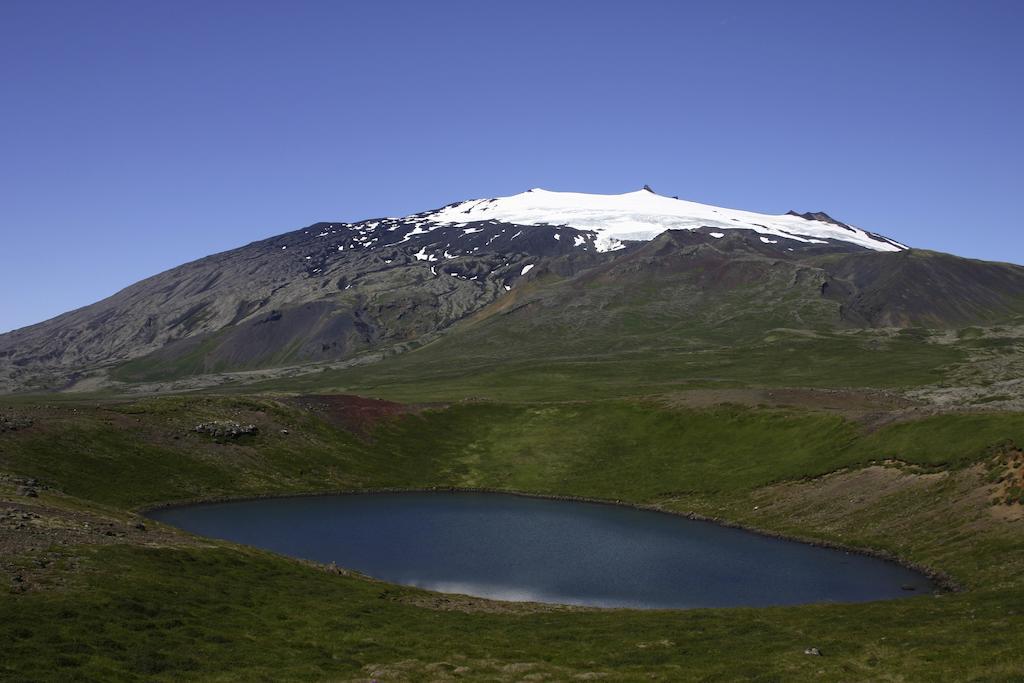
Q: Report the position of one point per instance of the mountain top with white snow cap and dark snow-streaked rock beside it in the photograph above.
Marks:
(540, 223)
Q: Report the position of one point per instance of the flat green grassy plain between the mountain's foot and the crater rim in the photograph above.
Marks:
(457, 367)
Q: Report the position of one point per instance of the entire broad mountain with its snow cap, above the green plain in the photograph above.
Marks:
(333, 291)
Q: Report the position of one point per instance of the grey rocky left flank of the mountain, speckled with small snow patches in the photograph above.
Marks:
(325, 292)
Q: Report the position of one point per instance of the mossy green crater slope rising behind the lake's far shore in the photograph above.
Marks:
(146, 453)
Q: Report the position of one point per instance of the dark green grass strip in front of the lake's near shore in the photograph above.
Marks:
(174, 615)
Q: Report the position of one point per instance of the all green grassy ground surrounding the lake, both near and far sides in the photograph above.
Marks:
(218, 612)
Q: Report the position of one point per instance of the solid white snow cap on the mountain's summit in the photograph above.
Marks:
(644, 216)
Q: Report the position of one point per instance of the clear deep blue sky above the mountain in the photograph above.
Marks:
(140, 136)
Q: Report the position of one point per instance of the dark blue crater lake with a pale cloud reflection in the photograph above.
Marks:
(515, 548)
